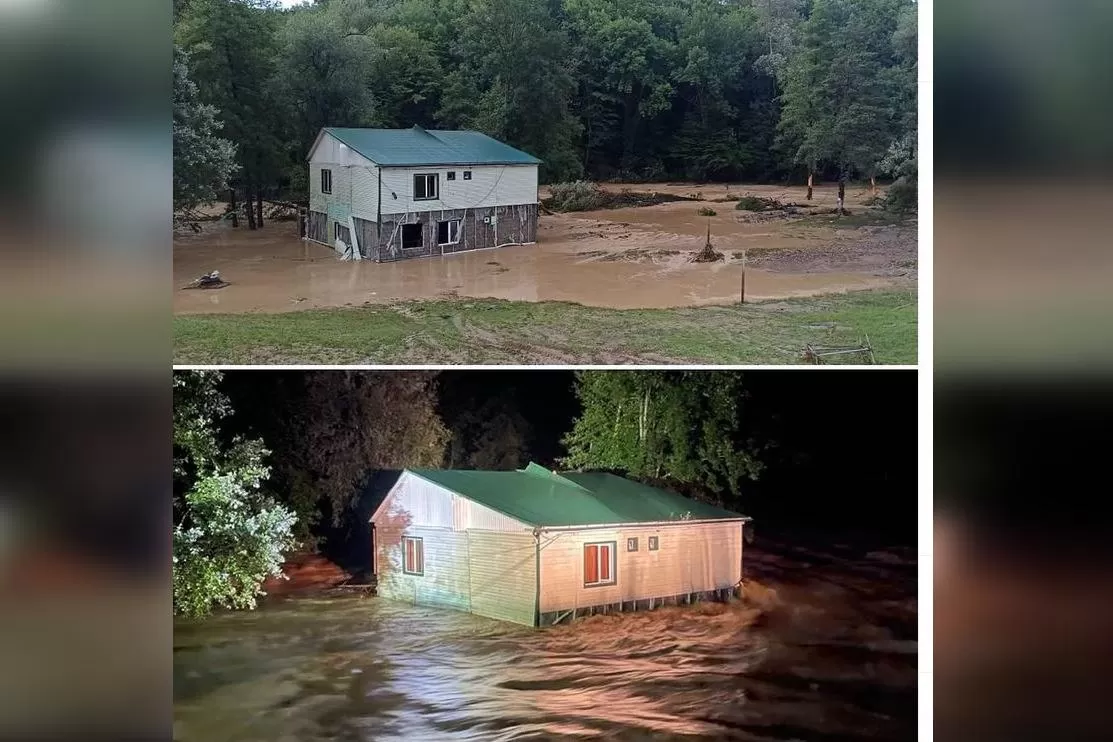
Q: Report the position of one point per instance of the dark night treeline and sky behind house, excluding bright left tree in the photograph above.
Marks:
(782, 448)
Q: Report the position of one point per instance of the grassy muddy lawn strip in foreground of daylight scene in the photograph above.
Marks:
(497, 332)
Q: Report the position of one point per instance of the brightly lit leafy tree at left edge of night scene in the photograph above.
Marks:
(229, 538)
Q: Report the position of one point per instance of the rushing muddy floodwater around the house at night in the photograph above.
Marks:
(823, 649)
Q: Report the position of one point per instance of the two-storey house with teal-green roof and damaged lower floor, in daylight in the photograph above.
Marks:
(393, 194)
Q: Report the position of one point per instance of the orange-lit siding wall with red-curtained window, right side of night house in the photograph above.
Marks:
(692, 559)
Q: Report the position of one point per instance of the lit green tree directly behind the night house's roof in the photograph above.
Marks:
(684, 427)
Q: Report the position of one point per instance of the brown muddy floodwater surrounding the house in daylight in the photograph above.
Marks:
(619, 259)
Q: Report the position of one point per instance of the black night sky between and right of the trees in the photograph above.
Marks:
(846, 456)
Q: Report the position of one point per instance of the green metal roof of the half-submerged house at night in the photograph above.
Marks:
(540, 498)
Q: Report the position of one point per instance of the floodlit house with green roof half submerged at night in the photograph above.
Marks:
(539, 548)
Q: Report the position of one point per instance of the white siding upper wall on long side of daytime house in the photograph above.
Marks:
(491, 185)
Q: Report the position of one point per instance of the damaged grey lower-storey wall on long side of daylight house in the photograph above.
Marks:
(479, 229)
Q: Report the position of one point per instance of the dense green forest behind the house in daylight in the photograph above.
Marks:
(756, 91)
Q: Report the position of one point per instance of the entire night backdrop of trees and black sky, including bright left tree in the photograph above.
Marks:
(267, 463)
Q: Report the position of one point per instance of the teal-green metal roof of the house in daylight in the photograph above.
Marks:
(420, 147)
